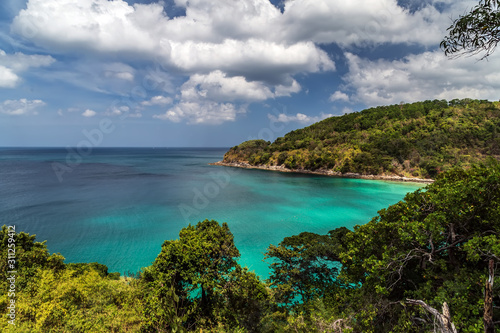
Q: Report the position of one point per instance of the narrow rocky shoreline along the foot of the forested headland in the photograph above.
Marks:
(324, 172)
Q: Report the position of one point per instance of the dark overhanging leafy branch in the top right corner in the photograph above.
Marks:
(475, 32)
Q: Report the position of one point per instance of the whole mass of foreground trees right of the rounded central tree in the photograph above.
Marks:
(434, 247)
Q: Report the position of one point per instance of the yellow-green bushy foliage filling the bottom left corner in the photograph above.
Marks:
(51, 296)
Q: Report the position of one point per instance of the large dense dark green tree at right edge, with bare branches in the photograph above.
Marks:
(434, 247)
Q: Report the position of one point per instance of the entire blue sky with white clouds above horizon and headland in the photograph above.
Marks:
(205, 73)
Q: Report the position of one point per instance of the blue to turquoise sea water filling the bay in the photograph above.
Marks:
(116, 206)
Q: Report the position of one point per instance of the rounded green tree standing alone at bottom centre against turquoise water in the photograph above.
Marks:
(196, 282)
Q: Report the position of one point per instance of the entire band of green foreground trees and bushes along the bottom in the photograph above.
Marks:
(433, 247)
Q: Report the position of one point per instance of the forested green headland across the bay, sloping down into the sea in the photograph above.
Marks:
(413, 140)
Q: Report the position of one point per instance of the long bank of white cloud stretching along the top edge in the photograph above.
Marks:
(229, 35)
